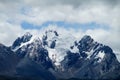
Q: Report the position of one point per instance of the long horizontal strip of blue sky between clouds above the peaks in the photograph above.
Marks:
(75, 25)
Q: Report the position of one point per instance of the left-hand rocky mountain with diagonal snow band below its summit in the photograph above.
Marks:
(35, 61)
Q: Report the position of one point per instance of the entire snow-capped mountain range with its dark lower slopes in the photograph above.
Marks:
(59, 56)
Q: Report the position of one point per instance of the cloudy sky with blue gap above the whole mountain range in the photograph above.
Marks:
(98, 18)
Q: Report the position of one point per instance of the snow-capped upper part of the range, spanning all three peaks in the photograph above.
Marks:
(59, 47)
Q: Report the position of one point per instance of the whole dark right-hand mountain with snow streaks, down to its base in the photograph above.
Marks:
(94, 60)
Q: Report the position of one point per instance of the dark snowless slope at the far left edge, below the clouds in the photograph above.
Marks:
(8, 60)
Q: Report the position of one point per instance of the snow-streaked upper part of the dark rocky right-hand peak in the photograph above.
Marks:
(88, 48)
